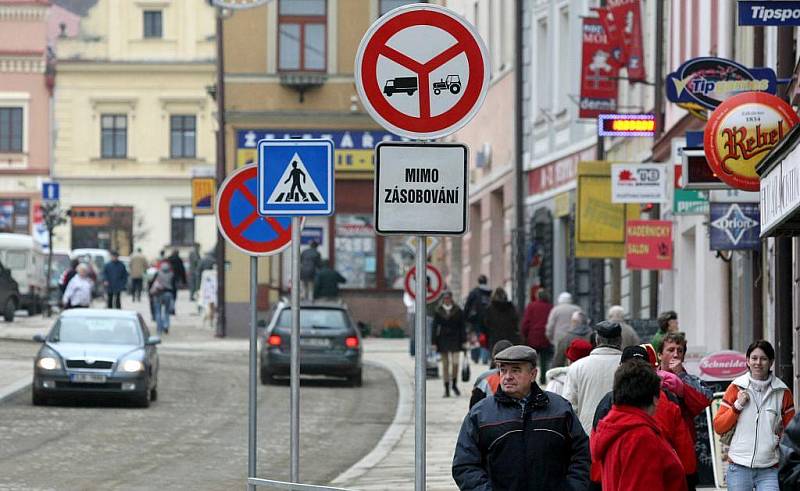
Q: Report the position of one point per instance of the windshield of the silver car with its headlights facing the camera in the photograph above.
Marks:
(101, 330)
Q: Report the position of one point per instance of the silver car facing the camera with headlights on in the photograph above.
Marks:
(100, 352)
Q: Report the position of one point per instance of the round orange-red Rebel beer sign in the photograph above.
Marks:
(741, 132)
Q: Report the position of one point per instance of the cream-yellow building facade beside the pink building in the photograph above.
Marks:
(133, 122)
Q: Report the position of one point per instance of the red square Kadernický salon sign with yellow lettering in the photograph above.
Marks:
(648, 244)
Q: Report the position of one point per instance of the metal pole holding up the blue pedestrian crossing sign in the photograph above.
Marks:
(294, 470)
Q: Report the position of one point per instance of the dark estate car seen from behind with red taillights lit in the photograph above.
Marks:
(330, 343)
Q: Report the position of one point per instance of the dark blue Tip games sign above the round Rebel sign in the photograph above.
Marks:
(702, 84)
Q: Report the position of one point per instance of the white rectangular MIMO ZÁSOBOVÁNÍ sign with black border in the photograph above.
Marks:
(421, 188)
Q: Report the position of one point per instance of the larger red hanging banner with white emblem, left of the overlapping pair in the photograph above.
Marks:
(598, 72)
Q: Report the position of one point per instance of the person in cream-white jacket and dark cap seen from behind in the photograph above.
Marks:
(591, 378)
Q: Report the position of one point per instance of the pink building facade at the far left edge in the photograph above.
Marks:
(25, 95)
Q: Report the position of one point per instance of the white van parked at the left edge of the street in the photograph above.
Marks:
(23, 255)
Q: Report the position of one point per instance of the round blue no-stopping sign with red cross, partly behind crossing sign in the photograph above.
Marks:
(238, 219)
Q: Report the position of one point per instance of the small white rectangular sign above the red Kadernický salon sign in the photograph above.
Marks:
(639, 183)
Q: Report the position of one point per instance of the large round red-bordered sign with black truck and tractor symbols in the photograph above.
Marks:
(422, 71)
